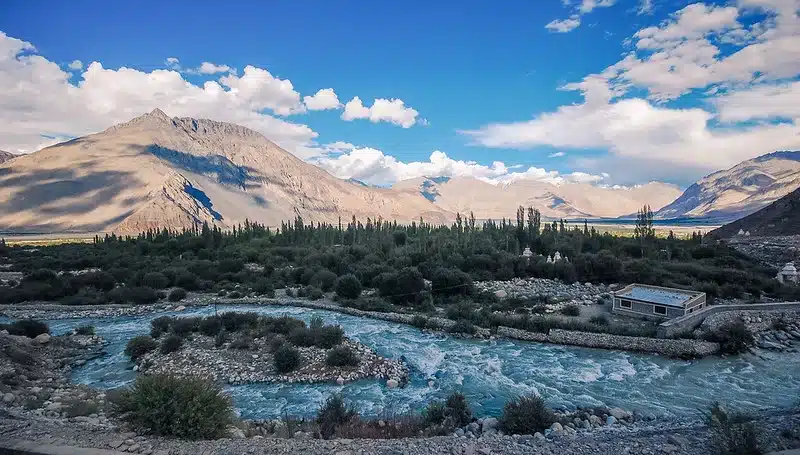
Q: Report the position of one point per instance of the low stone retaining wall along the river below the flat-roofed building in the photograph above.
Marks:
(670, 348)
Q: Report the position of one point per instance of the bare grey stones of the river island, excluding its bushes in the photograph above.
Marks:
(199, 357)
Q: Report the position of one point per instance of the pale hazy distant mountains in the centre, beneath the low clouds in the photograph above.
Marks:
(568, 200)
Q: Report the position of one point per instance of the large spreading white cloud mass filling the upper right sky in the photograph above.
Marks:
(745, 85)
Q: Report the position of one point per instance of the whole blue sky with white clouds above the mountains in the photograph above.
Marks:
(609, 92)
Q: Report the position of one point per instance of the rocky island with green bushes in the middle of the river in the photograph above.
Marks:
(242, 348)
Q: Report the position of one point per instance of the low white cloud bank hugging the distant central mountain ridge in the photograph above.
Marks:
(373, 166)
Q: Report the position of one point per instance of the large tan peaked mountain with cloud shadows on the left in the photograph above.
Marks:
(155, 171)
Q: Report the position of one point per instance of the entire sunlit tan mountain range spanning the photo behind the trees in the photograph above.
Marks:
(156, 171)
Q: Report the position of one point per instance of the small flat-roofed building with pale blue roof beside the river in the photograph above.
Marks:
(655, 302)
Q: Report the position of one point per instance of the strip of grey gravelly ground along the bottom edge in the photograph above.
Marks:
(687, 438)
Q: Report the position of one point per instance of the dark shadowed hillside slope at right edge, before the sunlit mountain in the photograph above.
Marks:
(782, 217)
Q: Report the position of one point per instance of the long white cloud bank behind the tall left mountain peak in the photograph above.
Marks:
(45, 102)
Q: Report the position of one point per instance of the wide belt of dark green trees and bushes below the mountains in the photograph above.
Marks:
(394, 258)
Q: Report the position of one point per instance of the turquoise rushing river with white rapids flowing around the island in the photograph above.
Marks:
(487, 372)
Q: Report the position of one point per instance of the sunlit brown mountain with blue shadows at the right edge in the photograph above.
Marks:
(733, 193)
